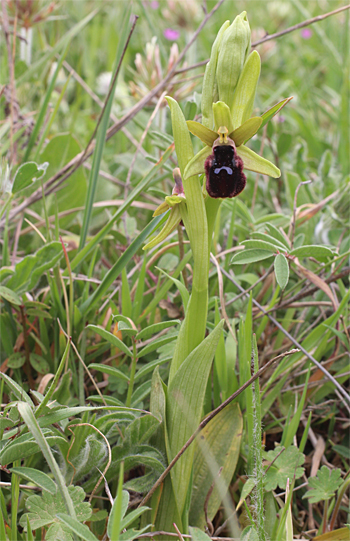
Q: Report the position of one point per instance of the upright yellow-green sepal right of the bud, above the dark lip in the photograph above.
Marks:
(243, 99)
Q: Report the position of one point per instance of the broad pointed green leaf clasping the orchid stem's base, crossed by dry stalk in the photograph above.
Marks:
(184, 409)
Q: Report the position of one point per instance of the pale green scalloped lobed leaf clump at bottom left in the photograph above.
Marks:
(43, 510)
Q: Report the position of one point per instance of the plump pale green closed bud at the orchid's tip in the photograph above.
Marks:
(234, 49)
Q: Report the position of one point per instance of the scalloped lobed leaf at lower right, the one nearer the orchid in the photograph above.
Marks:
(286, 466)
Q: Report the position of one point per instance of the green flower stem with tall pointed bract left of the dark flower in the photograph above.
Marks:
(195, 219)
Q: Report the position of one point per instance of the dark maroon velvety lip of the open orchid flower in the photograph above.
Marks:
(224, 170)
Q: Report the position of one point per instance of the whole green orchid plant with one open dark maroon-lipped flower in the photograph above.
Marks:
(202, 182)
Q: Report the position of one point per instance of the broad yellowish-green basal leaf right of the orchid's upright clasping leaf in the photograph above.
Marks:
(217, 446)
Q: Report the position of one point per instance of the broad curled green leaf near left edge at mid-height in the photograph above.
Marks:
(29, 271)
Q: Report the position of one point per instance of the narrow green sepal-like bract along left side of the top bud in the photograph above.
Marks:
(209, 80)
